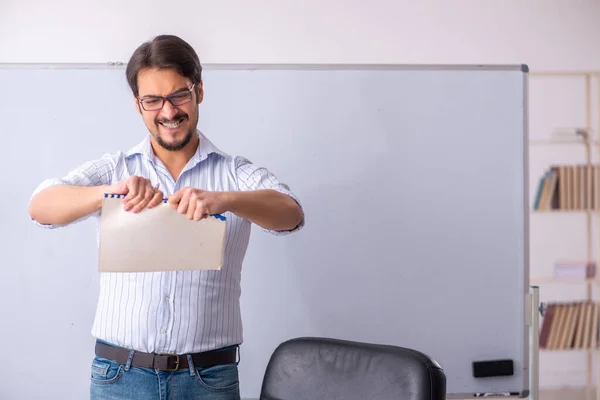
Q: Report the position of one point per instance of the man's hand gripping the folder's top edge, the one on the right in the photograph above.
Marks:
(198, 204)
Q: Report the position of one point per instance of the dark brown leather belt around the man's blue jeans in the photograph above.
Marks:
(167, 362)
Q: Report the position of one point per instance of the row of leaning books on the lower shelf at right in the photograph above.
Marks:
(569, 326)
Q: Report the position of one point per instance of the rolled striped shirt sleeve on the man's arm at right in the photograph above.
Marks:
(252, 177)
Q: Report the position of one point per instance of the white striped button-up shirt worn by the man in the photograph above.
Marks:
(175, 311)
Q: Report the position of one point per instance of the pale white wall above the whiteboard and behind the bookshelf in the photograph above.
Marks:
(546, 35)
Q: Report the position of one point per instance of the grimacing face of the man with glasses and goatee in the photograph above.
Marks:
(171, 126)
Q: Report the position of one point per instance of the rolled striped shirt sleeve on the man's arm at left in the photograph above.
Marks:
(91, 173)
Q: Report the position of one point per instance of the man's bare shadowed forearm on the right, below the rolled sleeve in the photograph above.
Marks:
(267, 208)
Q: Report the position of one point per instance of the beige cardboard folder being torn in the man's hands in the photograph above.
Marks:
(157, 239)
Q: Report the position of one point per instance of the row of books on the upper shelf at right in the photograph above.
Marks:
(569, 187)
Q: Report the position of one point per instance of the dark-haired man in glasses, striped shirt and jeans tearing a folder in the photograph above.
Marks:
(170, 334)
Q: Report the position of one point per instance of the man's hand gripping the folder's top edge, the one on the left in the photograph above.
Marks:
(139, 193)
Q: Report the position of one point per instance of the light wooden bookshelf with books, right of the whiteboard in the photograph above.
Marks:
(573, 188)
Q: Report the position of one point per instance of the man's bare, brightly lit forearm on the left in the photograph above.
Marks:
(63, 204)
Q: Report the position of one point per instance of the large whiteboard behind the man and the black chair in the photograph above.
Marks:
(413, 180)
